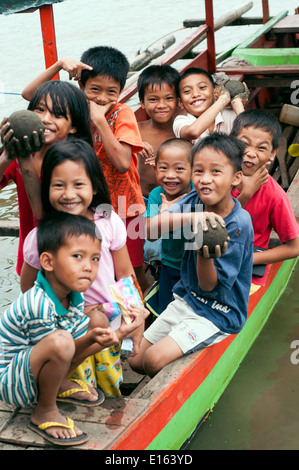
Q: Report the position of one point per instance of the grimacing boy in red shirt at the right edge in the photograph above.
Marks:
(267, 203)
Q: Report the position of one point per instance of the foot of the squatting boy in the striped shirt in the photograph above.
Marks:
(41, 415)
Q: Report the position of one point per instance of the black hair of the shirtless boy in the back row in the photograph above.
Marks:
(157, 75)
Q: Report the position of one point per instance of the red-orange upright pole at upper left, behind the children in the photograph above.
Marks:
(48, 34)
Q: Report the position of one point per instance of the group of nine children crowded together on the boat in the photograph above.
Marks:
(101, 184)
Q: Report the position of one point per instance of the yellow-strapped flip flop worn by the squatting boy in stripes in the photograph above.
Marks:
(73, 441)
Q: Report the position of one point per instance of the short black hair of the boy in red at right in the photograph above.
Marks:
(259, 119)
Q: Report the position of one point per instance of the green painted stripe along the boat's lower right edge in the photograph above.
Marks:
(185, 421)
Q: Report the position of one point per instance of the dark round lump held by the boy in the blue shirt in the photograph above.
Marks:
(211, 238)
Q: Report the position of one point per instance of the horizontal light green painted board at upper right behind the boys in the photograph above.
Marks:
(279, 56)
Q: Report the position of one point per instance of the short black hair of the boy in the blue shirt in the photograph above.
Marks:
(232, 147)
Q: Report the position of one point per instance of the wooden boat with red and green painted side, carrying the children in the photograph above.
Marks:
(163, 412)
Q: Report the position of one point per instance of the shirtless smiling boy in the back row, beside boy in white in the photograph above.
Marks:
(158, 93)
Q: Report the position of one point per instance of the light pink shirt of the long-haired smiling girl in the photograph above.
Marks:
(114, 237)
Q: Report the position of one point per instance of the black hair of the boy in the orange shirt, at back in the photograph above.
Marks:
(106, 61)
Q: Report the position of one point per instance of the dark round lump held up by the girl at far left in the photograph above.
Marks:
(24, 123)
